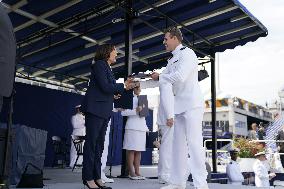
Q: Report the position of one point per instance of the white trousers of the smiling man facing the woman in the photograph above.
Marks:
(188, 140)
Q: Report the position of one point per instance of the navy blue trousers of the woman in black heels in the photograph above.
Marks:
(94, 145)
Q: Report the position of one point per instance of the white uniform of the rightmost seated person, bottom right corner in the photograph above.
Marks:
(261, 174)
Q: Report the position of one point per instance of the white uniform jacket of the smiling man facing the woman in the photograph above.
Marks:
(182, 73)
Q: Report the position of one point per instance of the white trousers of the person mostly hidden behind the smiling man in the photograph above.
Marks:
(165, 151)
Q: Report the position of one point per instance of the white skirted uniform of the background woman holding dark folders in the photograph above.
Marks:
(135, 129)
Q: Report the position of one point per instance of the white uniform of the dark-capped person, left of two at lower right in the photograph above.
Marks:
(234, 173)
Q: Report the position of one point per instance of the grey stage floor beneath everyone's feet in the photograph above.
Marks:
(66, 179)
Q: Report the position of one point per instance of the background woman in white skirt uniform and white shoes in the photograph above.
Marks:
(135, 137)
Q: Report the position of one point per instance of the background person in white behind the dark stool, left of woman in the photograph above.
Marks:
(78, 123)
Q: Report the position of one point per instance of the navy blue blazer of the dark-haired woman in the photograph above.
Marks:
(99, 96)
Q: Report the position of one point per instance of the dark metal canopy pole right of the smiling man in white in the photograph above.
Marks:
(213, 107)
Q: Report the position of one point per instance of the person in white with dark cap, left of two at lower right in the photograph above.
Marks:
(233, 169)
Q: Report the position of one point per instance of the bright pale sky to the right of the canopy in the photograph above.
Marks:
(255, 71)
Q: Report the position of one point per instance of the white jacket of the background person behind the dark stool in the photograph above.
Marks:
(78, 123)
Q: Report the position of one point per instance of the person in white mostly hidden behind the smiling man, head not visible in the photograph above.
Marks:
(165, 123)
